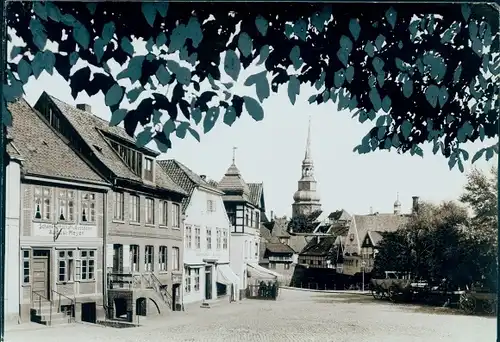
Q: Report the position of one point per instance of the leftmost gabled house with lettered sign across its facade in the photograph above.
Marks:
(55, 225)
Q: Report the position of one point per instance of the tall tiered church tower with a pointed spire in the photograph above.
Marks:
(306, 199)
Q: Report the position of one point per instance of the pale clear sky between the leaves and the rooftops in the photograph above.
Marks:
(271, 151)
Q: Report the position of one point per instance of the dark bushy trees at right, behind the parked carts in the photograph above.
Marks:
(435, 244)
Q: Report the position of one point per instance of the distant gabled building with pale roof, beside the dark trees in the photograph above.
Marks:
(373, 226)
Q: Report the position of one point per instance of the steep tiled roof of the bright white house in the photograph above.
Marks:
(185, 178)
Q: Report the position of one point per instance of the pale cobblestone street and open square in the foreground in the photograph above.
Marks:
(297, 316)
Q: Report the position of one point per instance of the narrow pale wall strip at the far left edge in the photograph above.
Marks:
(12, 252)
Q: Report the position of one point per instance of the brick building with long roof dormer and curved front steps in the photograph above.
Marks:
(144, 235)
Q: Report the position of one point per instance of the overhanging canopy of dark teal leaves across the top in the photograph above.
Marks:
(421, 72)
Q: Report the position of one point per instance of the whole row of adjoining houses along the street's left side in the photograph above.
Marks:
(96, 226)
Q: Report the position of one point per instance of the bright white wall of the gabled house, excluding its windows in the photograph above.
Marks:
(198, 216)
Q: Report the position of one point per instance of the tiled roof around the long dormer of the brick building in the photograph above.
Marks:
(91, 129)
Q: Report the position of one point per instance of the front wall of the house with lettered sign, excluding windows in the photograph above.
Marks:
(33, 236)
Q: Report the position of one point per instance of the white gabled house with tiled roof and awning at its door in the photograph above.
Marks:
(207, 273)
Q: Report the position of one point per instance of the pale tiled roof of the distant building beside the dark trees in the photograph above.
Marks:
(361, 224)
